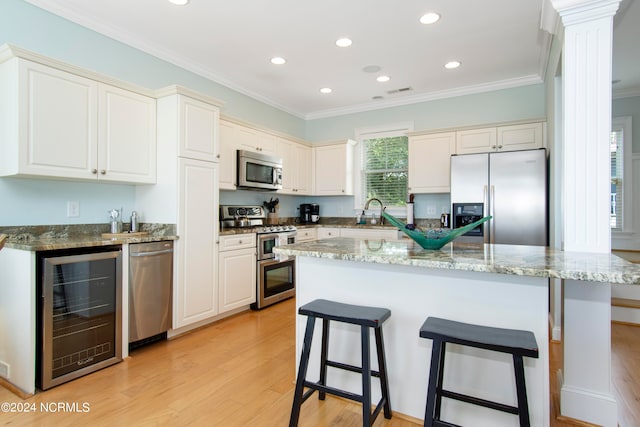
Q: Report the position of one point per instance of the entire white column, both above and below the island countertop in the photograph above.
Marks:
(586, 392)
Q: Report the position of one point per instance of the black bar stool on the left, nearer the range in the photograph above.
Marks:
(366, 317)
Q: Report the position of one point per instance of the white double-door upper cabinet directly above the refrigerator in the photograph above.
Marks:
(503, 138)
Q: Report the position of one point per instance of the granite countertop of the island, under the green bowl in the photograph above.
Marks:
(535, 261)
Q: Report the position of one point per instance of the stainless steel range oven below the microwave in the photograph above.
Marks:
(276, 278)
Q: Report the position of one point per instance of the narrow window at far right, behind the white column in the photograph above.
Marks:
(620, 185)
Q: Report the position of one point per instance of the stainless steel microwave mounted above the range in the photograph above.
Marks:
(259, 171)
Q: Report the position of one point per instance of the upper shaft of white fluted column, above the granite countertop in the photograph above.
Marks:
(586, 72)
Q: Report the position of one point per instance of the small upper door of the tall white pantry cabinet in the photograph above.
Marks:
(199, 130)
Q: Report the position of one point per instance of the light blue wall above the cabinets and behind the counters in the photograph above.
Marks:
(30, 202)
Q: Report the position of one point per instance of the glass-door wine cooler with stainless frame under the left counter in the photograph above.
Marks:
(80, 313)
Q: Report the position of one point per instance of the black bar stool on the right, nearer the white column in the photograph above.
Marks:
(516, 342)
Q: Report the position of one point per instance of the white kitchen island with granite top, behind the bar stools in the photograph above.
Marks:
(498, 285)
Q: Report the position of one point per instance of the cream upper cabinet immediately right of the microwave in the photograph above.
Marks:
(296, 167)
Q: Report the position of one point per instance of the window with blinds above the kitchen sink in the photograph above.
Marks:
(384, 163)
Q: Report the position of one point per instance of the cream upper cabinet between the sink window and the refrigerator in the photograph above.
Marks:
(429, 162)
